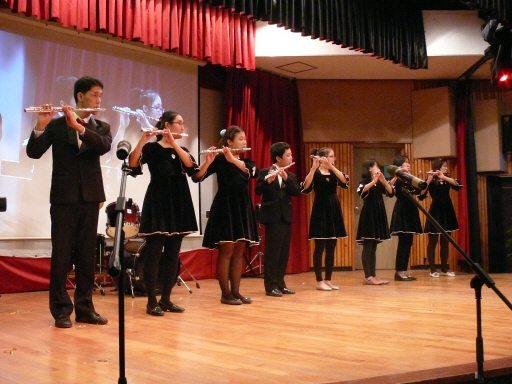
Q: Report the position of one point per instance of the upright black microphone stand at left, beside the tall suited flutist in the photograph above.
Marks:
(117, 266)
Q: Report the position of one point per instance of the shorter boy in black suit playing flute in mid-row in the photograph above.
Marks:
(277, 186)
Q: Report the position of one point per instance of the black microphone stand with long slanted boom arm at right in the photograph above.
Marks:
(477, 282)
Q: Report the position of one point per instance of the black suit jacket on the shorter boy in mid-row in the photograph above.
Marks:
(277, 200)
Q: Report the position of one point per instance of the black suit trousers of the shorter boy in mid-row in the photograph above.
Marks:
(277, 253)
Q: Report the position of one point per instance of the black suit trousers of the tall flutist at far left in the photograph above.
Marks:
(74, 231)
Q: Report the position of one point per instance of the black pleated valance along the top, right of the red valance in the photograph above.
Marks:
(389, 29)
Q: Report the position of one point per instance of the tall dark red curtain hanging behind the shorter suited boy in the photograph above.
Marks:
(267, 108)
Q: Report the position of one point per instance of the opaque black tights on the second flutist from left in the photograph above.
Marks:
(170, 265)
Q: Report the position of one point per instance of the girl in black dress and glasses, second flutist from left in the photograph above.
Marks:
(167, 213)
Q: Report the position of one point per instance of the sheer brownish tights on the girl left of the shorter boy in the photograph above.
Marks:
(229, 268)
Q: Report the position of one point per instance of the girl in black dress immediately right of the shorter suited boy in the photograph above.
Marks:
(326, 223)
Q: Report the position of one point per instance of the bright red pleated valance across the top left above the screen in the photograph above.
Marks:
(188, 28)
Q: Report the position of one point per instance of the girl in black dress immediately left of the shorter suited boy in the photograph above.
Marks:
(232, 224)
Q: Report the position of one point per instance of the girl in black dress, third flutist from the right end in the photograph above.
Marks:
(373, 222)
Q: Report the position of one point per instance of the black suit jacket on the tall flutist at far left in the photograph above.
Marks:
(76, 174)
